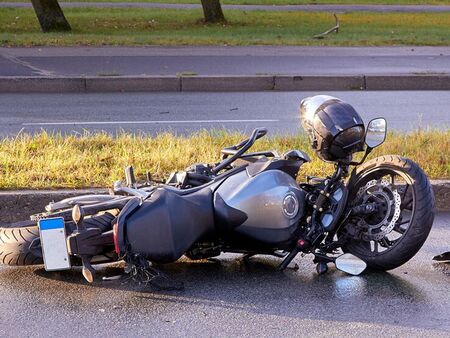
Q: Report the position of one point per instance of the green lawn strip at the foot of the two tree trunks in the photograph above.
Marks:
(19, 27)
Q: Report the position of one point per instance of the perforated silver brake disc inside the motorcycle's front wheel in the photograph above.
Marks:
(377, 226)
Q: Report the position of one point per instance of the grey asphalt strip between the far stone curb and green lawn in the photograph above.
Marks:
(257, 60)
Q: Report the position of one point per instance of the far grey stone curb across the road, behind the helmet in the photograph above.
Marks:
(222, 83)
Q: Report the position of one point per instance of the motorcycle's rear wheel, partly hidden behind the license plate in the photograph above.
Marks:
(16, 238)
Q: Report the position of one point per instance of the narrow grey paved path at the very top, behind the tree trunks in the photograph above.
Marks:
(309, 8)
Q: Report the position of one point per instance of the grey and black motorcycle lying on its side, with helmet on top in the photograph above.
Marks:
(374, 214)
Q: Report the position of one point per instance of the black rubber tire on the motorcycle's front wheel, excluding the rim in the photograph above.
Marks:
(421, 212)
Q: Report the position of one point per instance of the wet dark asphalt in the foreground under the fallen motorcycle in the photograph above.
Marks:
(231, 298)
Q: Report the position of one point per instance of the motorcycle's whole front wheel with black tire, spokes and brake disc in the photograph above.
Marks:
(404, 213)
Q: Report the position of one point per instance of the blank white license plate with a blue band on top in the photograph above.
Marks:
(54, 244)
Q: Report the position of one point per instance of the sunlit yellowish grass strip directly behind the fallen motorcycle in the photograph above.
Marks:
(96, 160)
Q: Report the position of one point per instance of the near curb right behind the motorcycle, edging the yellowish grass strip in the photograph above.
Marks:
(18, 205)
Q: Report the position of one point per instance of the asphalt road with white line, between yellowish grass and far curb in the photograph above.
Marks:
(188, 112)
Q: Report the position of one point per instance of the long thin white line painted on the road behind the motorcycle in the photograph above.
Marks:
(75, 123)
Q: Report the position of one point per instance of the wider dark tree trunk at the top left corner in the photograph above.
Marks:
(50, 15)
